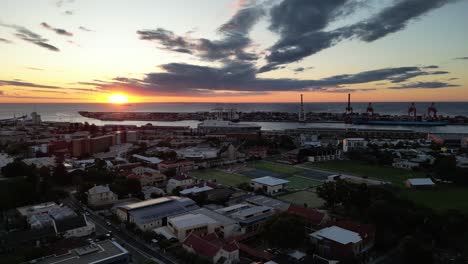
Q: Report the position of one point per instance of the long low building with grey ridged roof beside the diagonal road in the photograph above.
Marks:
(153, 213)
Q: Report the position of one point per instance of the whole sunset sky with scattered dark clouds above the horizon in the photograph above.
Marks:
(233, 50)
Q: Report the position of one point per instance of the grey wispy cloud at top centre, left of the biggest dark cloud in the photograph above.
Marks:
(232, 45)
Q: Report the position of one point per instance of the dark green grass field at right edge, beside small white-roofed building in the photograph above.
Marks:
(440, 198)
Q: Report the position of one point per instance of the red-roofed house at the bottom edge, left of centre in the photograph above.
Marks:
(213, 248)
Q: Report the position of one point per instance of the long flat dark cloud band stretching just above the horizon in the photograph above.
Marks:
(195, 80)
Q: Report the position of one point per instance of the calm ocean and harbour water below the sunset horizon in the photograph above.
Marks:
(69, 112)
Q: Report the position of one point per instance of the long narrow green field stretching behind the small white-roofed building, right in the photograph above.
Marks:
(393, 175)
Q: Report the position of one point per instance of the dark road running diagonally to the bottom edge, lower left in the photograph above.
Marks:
(139, 250)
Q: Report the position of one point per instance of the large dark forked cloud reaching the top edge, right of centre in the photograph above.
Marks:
(302, 23)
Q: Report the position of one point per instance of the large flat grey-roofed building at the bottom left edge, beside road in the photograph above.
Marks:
(103, 252)
